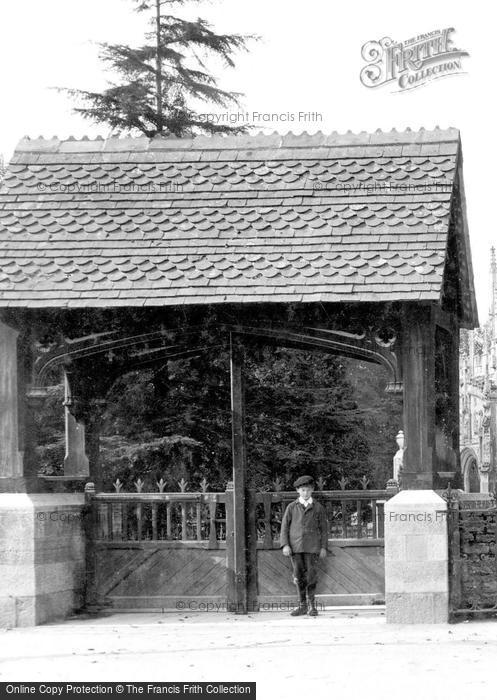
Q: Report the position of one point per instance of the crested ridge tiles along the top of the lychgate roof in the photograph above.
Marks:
(236, 142)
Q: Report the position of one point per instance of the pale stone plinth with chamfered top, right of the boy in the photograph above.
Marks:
(416, 558)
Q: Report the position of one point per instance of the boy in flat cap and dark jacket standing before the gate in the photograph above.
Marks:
(304, 538)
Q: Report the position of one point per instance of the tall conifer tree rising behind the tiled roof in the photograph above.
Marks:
(163, 80)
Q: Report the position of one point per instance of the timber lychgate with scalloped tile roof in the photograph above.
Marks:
(352, 244)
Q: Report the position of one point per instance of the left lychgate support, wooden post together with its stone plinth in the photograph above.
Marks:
(42, 566)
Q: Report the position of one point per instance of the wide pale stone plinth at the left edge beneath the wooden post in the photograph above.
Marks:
(42, 557)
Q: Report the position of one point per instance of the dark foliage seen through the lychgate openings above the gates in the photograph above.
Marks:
(305, 412)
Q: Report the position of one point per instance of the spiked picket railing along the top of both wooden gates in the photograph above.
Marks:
(200, 518)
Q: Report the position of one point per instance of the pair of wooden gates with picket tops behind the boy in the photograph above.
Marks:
(163, 551)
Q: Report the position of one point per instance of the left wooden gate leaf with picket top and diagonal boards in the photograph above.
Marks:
(151, 551)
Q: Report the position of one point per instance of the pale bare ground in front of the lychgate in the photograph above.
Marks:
(354, 654)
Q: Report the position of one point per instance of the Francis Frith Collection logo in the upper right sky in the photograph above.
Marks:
(412, 63)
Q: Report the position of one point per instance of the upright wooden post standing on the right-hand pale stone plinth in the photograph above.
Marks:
(418, 365)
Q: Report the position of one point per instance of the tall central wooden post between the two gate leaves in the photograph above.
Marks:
(239, 475)
